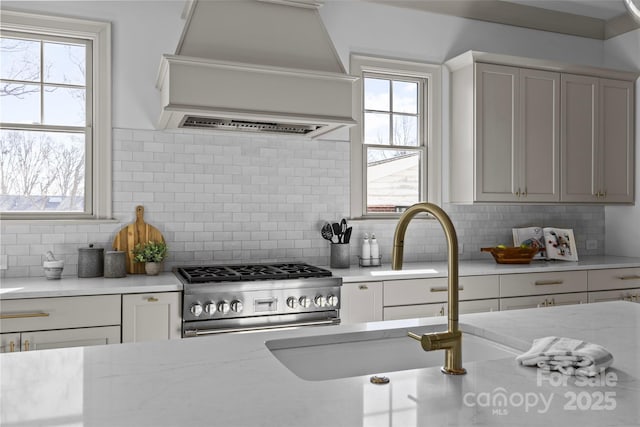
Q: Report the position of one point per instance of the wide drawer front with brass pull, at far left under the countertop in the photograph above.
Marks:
(39, 314)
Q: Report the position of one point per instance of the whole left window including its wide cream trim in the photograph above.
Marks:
(55, 138)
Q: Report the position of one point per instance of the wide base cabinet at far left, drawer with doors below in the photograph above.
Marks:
(42, 323)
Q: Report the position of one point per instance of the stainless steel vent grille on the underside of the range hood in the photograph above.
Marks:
(245, 125)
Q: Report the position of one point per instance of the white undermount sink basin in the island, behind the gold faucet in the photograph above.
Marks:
(345, 355)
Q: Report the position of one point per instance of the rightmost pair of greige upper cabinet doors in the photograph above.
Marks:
(597, 122)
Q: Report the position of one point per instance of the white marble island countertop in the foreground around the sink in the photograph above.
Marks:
(234, 380)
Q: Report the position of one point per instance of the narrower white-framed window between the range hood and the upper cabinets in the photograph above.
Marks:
(395, 148)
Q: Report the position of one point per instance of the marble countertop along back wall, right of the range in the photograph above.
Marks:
(418, 270)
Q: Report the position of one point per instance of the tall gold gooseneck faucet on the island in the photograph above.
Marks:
(451, 340)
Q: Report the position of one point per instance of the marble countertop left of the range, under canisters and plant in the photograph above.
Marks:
(39, 287)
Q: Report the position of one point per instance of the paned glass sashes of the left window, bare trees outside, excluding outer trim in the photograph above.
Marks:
(43, 101)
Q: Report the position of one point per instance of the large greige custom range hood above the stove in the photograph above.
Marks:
(256, 66)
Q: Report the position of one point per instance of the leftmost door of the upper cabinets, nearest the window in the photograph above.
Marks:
(496, 109)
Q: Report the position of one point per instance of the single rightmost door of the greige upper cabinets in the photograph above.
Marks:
(616, 176)
